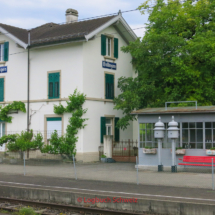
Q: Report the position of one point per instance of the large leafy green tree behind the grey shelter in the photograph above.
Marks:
(175, 60)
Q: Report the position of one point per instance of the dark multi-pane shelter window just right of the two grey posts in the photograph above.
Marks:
(192, 135)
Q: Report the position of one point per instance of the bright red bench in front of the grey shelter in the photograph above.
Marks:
(197, 161)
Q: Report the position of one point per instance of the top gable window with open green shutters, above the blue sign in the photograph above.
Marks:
(109, 46)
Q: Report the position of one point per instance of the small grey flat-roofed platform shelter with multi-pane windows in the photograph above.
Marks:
(196, 132)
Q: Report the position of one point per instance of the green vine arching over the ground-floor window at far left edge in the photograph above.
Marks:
(14, 106)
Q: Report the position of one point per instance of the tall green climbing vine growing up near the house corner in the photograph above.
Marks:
(66, 144)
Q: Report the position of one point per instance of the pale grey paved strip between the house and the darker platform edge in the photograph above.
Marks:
(116, 172)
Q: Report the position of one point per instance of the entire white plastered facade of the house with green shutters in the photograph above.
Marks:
(80, 67)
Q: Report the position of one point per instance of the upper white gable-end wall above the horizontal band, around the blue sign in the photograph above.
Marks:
(93, 71)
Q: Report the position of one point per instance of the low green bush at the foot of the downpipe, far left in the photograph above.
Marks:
(23, 142)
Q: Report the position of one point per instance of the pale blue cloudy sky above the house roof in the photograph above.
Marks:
(32, 13)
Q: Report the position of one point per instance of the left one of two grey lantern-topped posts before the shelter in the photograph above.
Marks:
(159, 134)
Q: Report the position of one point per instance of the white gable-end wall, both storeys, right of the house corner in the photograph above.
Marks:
(94, 86)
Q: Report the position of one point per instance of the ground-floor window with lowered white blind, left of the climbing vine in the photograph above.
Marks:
(53, 123)
